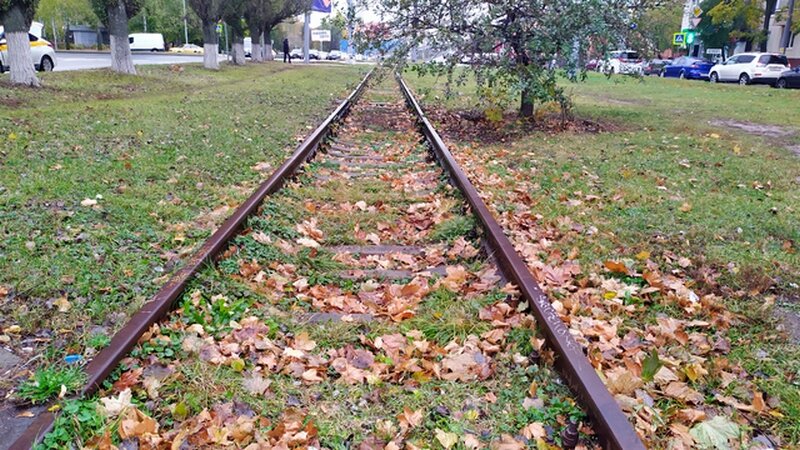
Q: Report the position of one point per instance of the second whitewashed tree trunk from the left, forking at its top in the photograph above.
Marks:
(115, 14)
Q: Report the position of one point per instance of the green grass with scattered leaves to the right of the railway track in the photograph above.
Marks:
(667, 178)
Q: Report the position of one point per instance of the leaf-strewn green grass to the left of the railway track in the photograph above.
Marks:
(167, 155)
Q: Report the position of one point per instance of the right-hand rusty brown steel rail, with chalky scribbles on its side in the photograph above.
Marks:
(614, 430)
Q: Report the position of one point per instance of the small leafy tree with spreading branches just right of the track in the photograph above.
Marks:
(514, 46)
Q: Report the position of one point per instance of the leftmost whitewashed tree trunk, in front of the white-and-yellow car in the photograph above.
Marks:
(17, 16)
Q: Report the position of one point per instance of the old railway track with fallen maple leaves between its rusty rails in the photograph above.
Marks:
(364, 299)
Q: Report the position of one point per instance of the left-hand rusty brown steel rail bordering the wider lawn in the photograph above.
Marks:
(162, 302)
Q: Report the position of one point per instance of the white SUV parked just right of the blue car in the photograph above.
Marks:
(750, 68)
